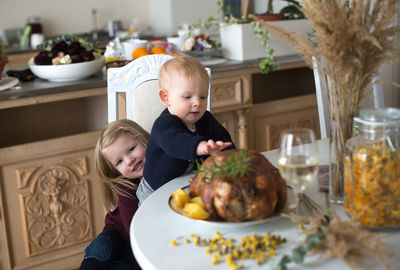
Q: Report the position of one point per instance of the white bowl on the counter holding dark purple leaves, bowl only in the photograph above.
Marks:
(68, 72)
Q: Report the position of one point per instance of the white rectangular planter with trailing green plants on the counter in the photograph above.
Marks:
(240, 38)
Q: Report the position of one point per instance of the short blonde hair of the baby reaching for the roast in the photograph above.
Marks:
(185, 66)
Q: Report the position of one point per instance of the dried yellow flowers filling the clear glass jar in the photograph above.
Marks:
(372, 184)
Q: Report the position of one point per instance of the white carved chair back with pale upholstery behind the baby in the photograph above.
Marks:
(133, 90)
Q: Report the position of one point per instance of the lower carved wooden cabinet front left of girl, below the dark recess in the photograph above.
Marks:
(50, 202)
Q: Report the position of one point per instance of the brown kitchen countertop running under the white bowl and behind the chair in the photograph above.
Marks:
(40, 87)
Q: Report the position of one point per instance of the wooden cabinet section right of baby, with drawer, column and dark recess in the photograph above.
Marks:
(255, 108)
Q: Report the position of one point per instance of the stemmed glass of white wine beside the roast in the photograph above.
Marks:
(298, 160)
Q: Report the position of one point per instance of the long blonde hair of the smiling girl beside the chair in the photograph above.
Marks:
(109, 176)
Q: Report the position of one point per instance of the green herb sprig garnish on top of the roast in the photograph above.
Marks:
(236, 165)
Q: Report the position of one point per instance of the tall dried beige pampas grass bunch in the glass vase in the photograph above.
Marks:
(351, 41)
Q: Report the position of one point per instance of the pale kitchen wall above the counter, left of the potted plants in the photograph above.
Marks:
(59, 17)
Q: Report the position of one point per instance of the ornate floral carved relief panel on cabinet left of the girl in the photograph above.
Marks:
(54, 205)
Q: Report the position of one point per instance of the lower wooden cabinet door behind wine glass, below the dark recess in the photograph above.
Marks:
(269, 119)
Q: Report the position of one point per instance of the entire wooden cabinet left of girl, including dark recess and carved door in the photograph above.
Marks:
(50, 200)
